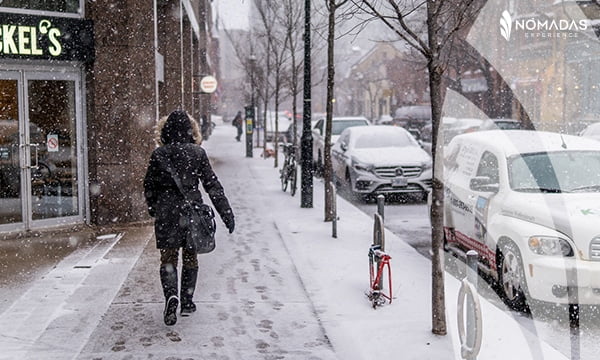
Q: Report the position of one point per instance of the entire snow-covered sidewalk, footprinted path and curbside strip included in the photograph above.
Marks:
(279, 287)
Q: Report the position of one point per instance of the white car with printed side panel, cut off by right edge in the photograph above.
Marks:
(529, 203)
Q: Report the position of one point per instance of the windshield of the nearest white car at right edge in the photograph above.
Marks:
(555, 172)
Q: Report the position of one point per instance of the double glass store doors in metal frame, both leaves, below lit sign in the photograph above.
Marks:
(41, 176)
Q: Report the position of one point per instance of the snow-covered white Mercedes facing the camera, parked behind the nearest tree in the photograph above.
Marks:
(381, 160)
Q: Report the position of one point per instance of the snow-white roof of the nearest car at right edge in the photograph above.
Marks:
(512, 142)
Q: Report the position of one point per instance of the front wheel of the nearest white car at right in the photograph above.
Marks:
(511, 276)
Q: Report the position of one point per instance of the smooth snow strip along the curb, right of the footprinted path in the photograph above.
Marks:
(335, 274)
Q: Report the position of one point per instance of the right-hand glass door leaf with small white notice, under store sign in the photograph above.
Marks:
(51, 117)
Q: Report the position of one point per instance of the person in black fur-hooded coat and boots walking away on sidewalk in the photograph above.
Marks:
(179, 151)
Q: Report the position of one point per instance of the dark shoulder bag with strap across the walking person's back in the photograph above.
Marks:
(200, 220)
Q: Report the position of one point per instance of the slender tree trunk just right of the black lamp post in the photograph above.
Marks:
(327, 171)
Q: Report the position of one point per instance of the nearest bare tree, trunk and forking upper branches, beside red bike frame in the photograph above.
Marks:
(443, 19)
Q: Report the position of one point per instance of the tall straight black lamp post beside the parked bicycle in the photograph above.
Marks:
(306, 194)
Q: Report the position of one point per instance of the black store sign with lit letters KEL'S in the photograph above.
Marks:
(45, 38)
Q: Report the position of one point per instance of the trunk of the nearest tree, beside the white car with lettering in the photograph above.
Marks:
(438, 306)
